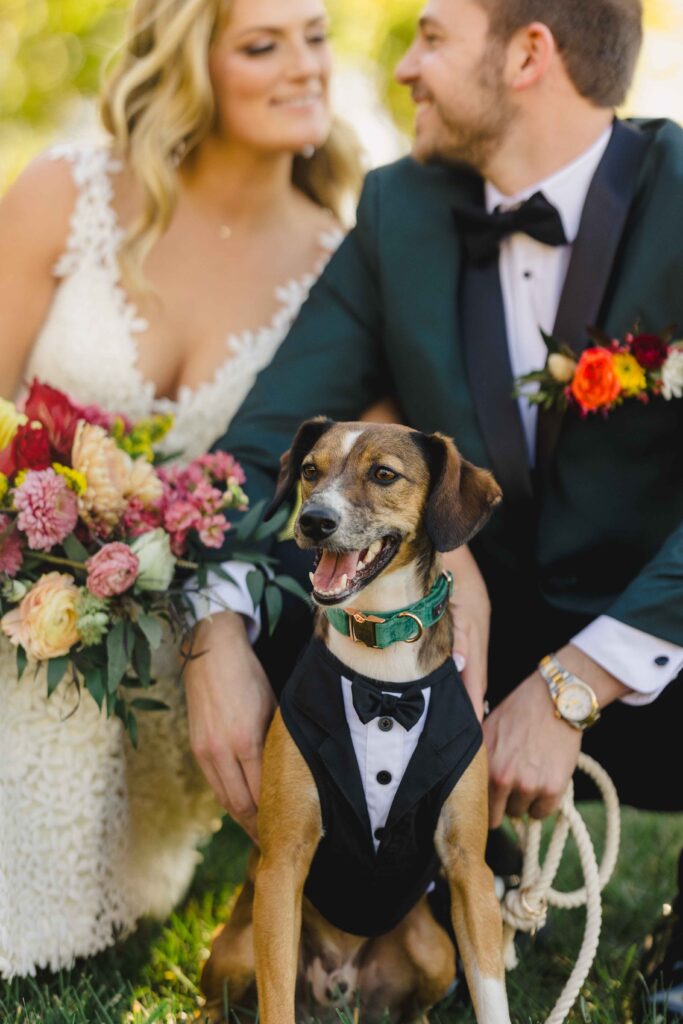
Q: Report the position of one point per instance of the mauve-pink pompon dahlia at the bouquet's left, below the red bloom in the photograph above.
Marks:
(49, 510)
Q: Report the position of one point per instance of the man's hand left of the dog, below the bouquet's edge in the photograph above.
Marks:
(230, 707)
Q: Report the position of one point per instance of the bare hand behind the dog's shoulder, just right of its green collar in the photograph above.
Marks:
(471, 609)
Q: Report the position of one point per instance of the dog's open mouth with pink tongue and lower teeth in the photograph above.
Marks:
(338, 575)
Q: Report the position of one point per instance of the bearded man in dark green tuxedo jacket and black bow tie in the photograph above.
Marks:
(432, 301)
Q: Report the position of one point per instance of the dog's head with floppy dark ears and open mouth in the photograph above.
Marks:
(375, 496)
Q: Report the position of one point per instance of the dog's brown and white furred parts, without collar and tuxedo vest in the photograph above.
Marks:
(378, 503)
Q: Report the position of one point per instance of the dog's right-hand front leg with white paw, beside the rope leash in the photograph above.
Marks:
(461, 842)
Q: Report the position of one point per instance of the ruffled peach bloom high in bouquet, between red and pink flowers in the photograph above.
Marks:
(113, 478)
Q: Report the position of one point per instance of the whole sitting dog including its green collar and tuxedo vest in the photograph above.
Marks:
(375, 778)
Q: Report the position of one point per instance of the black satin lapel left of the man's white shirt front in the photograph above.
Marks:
(490, 376)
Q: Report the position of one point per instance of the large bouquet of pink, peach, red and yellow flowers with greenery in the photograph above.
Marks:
(95, 538)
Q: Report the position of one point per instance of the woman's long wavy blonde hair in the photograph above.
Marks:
(159, 105)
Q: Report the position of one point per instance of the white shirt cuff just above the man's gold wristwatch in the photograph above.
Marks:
(643, 662)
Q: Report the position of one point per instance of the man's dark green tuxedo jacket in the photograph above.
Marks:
(602, 531)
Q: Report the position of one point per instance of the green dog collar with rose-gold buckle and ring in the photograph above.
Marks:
(406, 625)
